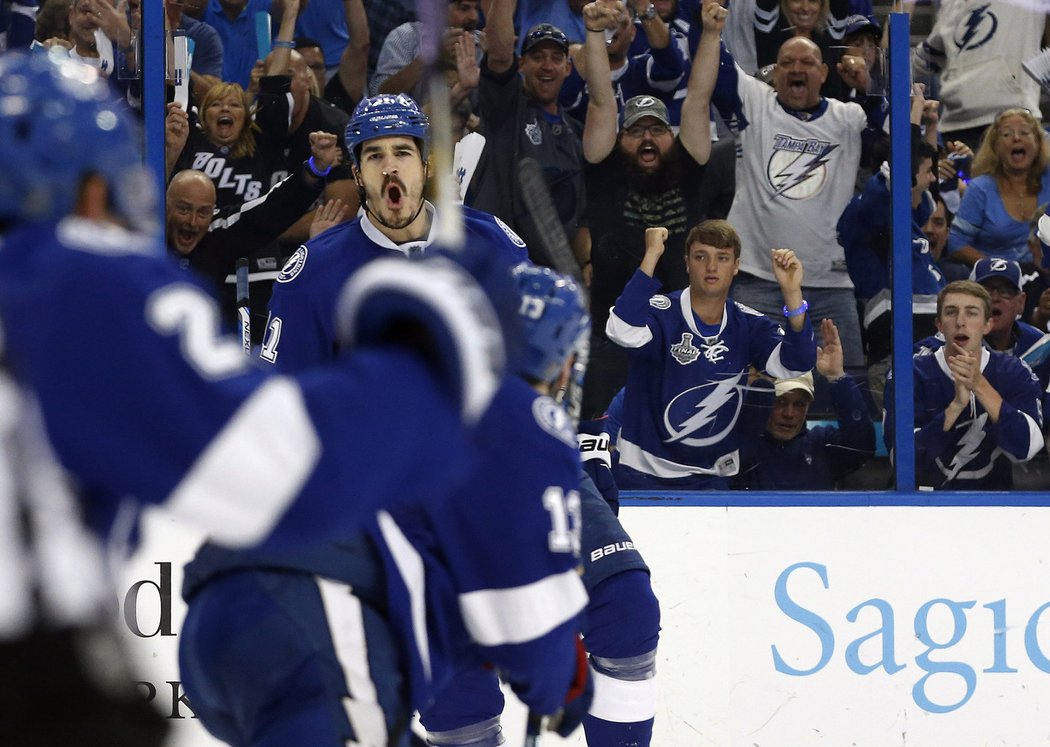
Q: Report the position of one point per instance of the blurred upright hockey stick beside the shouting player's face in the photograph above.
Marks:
(434, 15)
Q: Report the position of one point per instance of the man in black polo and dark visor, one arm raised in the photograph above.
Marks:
(521, 118)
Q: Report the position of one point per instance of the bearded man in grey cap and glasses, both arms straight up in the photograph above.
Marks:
(641, 175)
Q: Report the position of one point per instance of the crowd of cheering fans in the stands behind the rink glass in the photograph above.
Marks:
(669, 115)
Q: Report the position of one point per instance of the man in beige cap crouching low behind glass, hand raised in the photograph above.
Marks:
(780, 452)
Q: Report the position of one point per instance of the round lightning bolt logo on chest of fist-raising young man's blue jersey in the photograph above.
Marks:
(704, 416)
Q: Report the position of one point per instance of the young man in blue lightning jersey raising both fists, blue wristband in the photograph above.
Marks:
(690, 354)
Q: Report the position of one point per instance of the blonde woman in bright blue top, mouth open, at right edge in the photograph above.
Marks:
(1011, 190)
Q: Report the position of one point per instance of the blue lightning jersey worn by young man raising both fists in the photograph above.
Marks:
(685, 390)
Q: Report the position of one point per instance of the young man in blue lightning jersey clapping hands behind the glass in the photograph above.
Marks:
(977, 411)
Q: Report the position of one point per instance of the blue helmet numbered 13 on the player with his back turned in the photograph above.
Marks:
(554, 322)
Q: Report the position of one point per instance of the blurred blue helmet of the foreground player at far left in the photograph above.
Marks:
(59, 122)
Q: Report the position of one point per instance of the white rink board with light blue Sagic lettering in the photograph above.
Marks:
(794, 627)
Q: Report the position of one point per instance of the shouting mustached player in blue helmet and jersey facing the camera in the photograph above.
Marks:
(388, 138)
